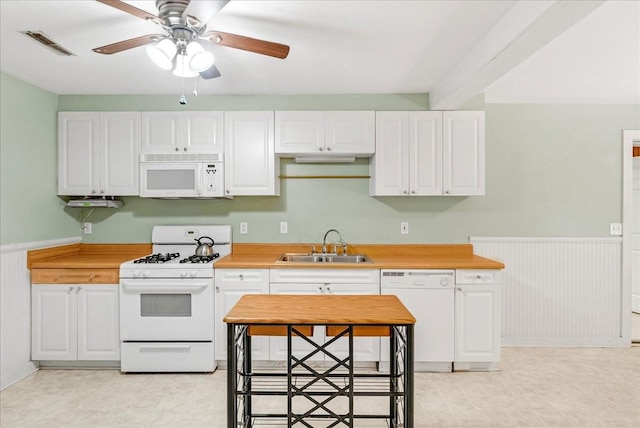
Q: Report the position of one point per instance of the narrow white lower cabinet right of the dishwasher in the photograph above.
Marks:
(477, 319)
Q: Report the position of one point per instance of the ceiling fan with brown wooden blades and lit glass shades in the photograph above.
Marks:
(186, 23)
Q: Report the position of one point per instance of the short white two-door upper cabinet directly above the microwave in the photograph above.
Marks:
(182, 132)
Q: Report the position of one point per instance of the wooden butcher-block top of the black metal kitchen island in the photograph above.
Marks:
(274, 309)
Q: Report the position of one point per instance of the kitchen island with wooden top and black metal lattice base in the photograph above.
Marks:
(313, 395)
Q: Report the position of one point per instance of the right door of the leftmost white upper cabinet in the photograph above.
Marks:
(119, 153)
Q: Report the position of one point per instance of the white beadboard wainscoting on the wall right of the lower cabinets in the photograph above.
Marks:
(559, 291)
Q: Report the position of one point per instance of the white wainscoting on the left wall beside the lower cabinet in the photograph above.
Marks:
(15, 310)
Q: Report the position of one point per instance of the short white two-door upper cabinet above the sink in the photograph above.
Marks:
(325, 133)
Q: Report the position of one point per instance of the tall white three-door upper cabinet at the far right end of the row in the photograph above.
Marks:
(410, 157)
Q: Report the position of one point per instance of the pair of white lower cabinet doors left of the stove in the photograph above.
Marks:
(75, 322)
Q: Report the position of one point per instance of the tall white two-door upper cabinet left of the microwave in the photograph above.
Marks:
(98, 153)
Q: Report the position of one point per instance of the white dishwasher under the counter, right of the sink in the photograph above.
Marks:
(429, 296)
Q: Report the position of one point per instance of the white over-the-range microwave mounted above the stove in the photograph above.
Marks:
(181, 175)
